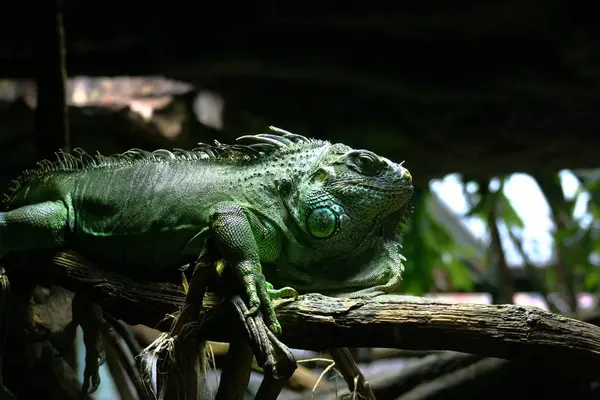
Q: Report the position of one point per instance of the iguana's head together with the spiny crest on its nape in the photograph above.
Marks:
(339, 197)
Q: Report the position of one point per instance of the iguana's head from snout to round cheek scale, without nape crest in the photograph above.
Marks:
(349, 194)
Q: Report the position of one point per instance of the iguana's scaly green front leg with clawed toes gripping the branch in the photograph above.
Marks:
(235, 232)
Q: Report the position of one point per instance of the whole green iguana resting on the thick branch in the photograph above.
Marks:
(320, 217)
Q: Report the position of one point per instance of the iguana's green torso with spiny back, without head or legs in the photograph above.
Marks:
(144, 208)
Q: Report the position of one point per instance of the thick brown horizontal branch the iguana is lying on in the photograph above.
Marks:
(318, 322)
